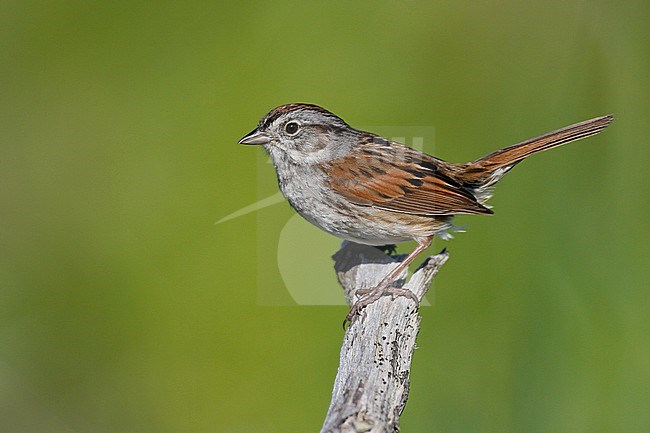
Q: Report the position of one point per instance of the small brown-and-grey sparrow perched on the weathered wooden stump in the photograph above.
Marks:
(364, 188)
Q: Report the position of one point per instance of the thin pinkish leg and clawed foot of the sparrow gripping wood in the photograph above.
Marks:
(385, 286)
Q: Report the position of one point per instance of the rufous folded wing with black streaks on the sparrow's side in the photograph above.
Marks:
(390, 176)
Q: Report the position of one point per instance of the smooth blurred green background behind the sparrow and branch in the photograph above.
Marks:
(123, 307)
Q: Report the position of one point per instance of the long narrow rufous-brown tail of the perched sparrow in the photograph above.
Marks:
(482, 174)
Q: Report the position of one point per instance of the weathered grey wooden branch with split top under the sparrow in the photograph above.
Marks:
(372, 383)
